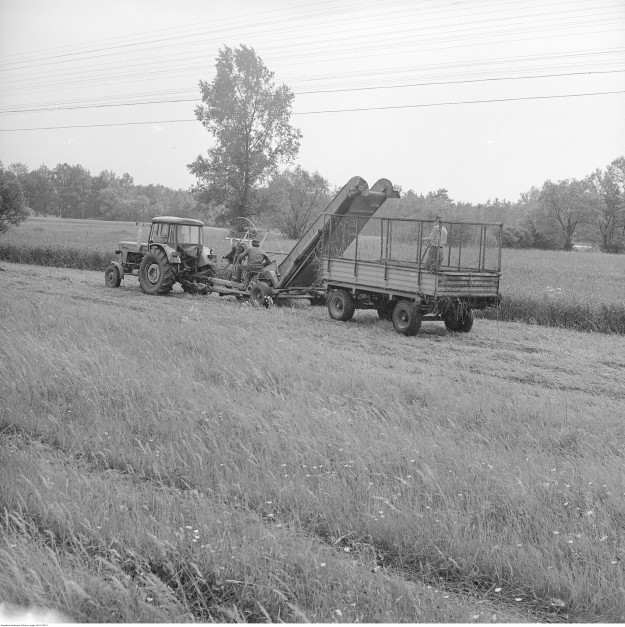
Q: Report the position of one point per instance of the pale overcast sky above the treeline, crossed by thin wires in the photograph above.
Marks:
(427, 93)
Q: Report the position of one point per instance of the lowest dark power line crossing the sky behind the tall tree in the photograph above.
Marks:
(383, 108)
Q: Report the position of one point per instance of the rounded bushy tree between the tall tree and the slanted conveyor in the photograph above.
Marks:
(295, 198)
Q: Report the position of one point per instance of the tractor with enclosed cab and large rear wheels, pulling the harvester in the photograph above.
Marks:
(174, 253)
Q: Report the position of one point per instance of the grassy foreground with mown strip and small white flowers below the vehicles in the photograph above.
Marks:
(184, 458)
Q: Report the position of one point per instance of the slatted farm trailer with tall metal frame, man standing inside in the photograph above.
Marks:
(390, 266)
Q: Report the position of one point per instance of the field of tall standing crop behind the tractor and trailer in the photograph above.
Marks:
(585, 292)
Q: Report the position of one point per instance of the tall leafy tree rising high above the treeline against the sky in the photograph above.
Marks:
(248, 117)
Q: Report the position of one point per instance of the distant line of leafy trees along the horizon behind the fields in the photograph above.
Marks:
(554, 216)
